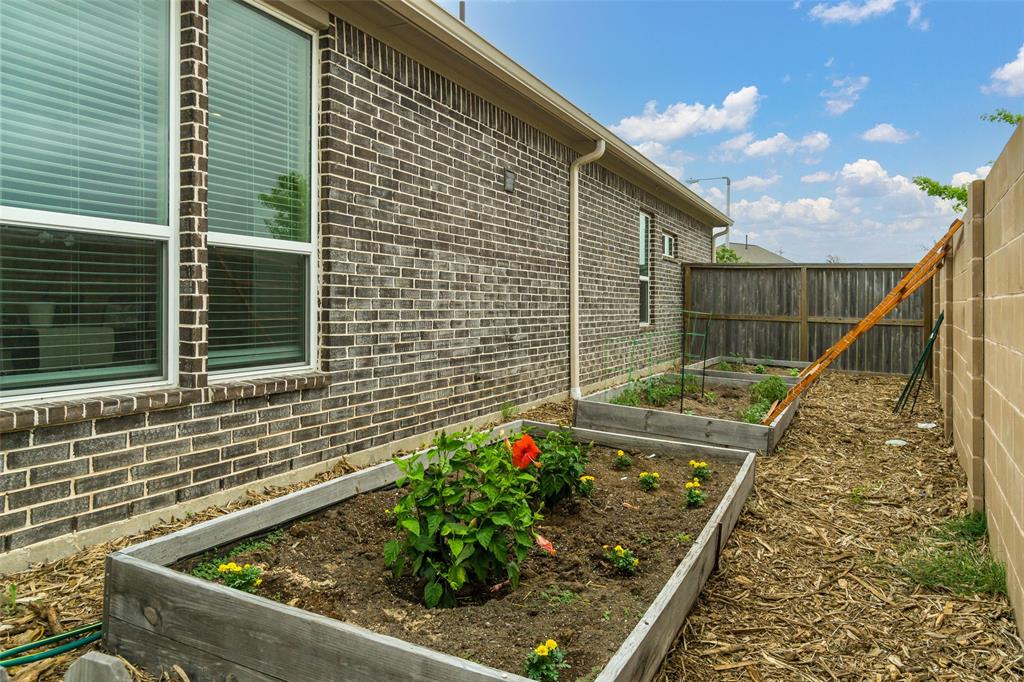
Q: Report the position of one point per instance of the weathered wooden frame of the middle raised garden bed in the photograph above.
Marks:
(598, 412)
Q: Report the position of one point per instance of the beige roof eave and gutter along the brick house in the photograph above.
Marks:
(434, 37)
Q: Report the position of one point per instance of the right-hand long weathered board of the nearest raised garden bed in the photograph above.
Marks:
(639, 658)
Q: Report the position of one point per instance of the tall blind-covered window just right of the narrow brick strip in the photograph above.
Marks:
(260, 189)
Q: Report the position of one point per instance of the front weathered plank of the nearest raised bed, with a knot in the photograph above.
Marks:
(254, 633)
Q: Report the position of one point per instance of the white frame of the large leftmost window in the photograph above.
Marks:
(168, 235)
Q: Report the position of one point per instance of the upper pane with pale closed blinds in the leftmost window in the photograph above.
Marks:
(84, 108)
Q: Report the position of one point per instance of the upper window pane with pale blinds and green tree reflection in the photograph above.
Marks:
(260, 124)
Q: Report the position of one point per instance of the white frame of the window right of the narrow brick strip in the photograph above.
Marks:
(310, 249)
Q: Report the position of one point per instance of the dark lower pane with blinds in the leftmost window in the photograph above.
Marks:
(78, 308)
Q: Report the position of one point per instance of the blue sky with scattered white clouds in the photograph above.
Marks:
(821, 112)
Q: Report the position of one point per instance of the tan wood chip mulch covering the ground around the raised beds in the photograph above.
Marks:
(805, 590)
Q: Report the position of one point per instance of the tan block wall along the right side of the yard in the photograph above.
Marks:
(986, 393)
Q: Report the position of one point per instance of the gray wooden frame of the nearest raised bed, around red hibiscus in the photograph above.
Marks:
(159, 618)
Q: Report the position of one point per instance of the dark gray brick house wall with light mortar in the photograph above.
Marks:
(442, 299)
